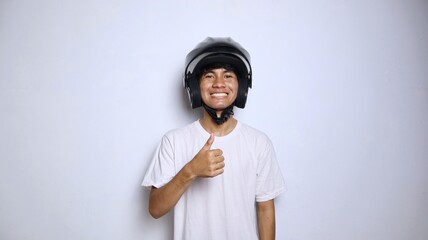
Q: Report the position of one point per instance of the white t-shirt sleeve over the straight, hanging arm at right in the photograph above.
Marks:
(270, 182)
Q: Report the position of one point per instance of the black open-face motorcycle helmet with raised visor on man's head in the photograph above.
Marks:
(217, 50)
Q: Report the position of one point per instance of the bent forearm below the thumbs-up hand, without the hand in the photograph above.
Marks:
(163, 199)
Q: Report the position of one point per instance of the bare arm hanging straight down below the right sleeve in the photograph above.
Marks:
(266, 220)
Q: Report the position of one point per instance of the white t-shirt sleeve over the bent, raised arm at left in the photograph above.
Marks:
(162, 168)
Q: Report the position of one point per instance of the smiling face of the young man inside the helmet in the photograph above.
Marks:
(219, 88)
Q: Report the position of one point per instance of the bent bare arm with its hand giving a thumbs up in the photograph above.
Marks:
(207, 163)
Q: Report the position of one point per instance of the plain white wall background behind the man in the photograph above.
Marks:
(87, 89)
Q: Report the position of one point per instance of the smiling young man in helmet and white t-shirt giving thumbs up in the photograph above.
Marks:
(218, 174)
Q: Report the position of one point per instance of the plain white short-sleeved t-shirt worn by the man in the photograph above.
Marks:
(223, 207)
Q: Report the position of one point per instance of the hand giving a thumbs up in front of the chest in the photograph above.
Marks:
(208, 162)
